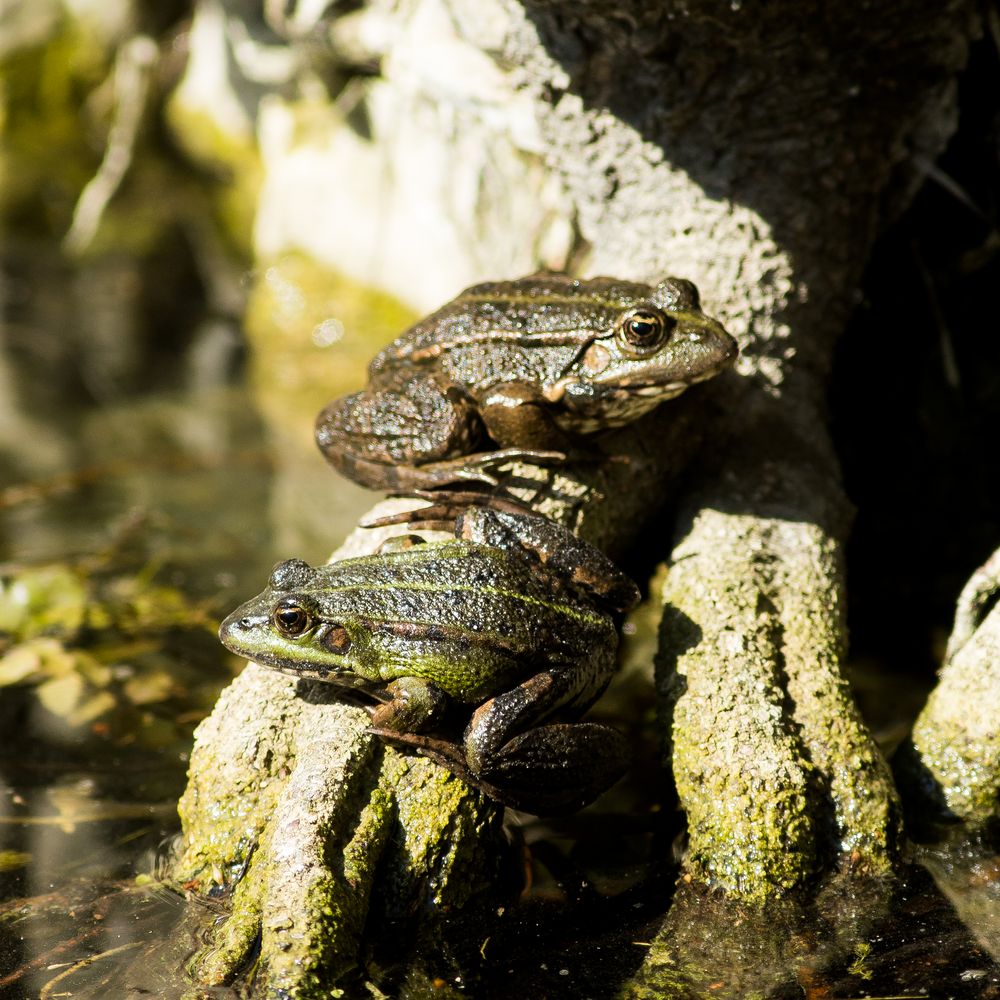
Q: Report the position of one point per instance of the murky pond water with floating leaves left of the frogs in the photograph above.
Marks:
(141, 494)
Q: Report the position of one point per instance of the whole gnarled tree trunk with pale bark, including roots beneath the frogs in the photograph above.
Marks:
(755, 151)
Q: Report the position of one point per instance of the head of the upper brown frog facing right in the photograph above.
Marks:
(659, 345)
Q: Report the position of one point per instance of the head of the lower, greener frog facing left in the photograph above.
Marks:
(284, 628)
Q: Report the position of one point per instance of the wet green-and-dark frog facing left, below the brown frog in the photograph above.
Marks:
(514, 620)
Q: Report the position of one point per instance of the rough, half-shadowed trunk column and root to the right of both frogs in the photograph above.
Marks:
(783, 140)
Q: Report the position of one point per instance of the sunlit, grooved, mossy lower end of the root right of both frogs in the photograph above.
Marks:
(765, 738)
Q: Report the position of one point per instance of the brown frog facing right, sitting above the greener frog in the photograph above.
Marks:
(519, 370)
